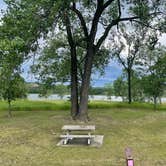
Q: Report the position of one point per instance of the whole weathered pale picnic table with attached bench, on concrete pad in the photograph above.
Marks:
(84, 132)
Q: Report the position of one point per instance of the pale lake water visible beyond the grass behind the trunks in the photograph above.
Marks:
(66, 97)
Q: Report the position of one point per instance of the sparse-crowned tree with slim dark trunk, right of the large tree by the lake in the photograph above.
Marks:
(127, 45)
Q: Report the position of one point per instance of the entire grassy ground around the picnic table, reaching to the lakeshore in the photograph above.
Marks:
(26, 139)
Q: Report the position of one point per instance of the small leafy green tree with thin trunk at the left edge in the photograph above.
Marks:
(12, 85)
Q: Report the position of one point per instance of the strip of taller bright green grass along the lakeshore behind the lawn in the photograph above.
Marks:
(26, 105)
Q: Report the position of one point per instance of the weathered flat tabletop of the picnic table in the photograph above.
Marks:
(78, 127)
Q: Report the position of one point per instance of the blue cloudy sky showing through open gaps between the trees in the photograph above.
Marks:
(112, 71)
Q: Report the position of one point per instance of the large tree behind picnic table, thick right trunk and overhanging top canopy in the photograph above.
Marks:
(89, 16)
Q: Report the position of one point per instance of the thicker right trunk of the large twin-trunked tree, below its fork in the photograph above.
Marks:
(83, 109)
